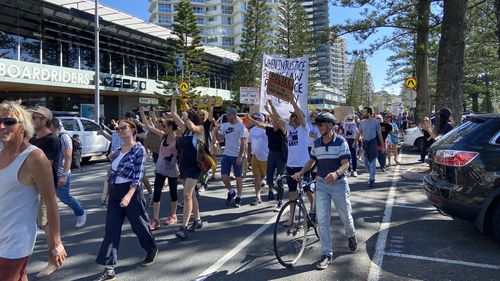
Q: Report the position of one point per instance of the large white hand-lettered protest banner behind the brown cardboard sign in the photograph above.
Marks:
(294, 68)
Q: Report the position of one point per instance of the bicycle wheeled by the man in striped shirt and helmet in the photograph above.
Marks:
(292, 226)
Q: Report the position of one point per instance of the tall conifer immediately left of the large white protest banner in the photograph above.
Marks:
(255, 42)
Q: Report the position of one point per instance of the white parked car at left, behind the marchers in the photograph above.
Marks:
(92, 144)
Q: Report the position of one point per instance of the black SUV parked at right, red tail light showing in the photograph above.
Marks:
(465, 173)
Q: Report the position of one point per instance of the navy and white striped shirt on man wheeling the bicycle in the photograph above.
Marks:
(328, 156)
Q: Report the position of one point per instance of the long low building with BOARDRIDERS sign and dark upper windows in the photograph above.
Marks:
(47, 57)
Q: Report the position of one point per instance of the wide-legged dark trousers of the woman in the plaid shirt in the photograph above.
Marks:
(136, 215)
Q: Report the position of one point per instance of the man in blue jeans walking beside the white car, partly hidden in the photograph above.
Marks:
(64, 173)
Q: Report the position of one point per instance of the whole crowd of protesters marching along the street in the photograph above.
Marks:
(306, 145)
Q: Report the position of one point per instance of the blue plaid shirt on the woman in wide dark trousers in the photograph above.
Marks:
(131, 166)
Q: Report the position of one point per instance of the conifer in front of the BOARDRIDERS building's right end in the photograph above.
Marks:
(187, 56)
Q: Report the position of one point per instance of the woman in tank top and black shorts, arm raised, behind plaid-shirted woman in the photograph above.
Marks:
(166, 168)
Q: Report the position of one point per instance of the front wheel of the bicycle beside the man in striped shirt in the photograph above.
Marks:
(290, 239)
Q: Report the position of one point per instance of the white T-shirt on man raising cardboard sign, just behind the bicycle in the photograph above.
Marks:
(297, 146)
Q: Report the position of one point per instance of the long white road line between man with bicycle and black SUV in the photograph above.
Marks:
(378, 256)
